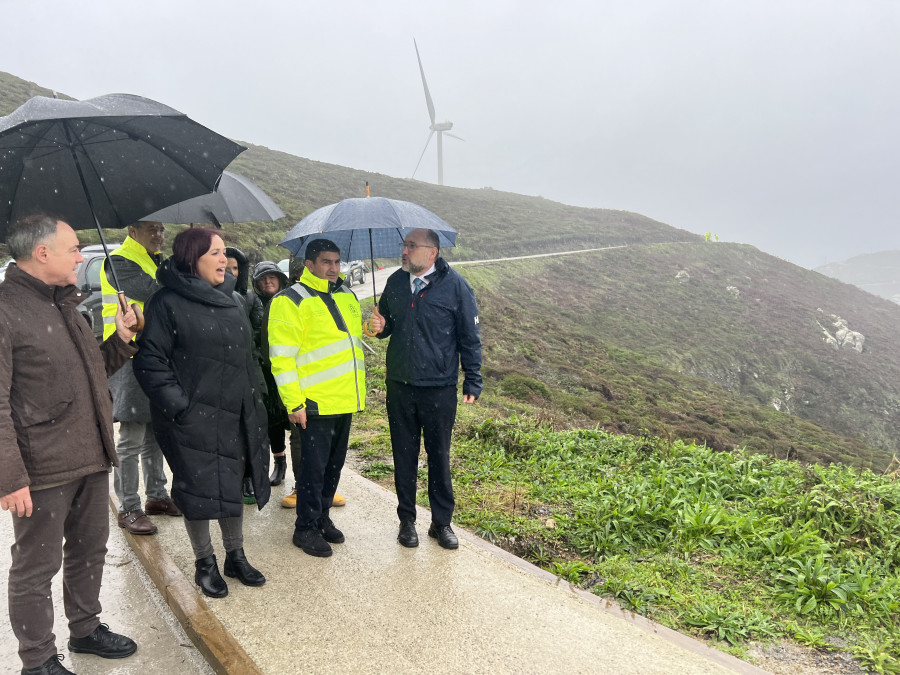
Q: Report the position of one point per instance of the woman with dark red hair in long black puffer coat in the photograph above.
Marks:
(196, 365)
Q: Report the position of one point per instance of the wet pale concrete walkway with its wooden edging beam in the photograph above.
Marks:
(376, 607)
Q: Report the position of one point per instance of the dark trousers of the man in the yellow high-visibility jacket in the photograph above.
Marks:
(324, 449)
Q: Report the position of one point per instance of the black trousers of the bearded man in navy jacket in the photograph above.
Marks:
(414, 413)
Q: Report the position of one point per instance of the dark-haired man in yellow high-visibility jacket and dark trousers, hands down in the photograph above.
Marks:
(315, 348)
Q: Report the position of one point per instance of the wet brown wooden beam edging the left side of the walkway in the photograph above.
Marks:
(223, 653)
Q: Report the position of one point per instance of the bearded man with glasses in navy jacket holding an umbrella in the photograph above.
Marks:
(429, 312)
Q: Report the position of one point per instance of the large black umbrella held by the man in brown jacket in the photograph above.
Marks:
(104, 162)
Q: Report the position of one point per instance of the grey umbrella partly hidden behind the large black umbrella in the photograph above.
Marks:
(236, 200)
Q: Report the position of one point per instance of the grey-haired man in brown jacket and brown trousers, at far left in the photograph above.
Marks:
(56, 444)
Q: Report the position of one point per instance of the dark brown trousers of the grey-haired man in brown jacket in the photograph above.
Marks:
(69, 528)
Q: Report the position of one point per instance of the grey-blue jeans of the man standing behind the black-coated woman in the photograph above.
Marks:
(137, 442)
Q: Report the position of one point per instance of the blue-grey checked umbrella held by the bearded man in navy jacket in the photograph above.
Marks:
(366, 227)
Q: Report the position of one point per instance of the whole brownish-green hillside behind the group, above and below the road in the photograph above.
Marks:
(613, 338)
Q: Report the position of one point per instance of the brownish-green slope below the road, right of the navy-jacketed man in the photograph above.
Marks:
(631, 348)
